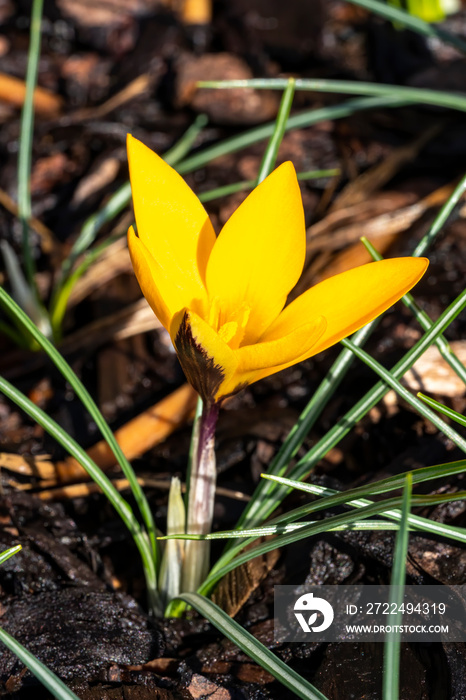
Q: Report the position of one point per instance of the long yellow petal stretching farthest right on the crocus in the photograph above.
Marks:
(351, 299)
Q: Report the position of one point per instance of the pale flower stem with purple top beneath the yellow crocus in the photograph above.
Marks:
(201, 500)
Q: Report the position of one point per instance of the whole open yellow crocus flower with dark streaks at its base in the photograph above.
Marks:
(222, 299)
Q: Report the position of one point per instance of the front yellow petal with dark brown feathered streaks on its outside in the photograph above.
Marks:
(206, 359)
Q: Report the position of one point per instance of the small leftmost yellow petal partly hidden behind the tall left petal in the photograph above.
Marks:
(161, 291)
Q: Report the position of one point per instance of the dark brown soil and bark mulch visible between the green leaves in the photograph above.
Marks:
(75, 596)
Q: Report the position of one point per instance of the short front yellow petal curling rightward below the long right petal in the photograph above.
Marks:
(262, 359)
